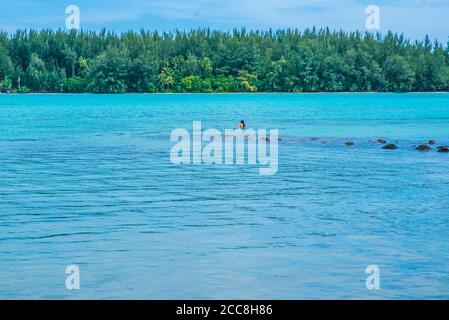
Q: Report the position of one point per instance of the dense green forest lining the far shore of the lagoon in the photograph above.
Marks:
(214, 61)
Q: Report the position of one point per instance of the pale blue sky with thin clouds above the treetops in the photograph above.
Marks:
(414, 18)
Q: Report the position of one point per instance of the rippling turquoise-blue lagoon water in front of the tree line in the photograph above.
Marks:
(87, 180)
